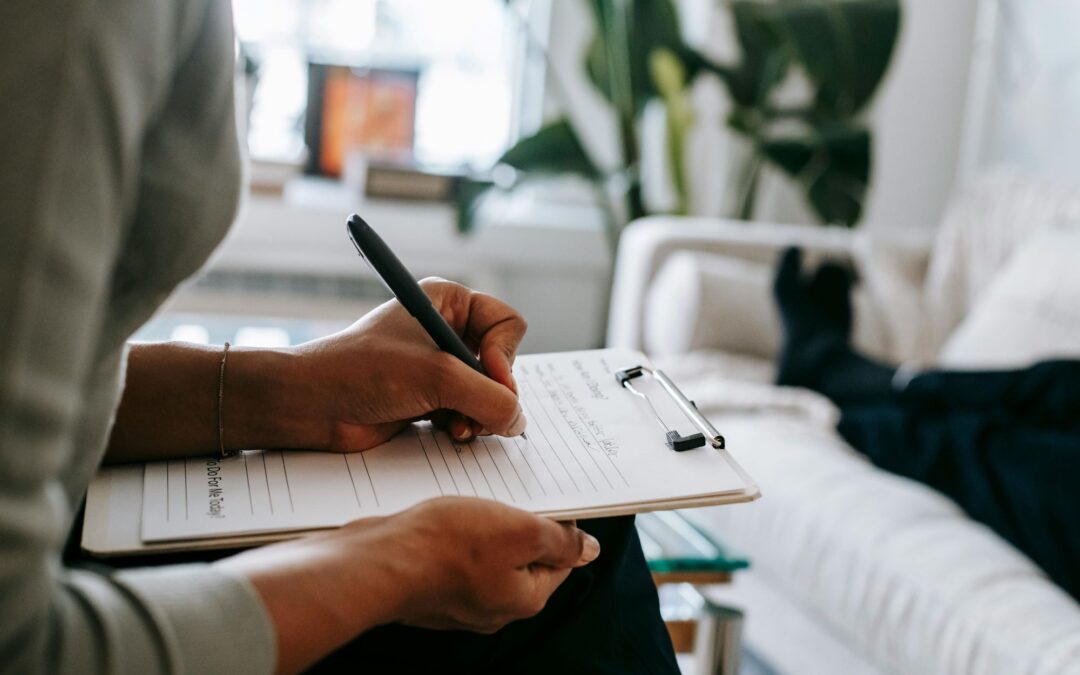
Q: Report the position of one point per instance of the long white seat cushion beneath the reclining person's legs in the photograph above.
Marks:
(890, 563)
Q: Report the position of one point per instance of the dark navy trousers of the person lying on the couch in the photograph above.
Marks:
(1004, 445)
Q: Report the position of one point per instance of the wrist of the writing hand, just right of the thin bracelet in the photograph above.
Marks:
(269, 403)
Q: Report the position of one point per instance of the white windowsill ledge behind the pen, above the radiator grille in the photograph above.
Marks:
(304, 232)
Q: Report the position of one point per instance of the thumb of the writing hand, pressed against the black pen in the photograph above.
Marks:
(478, 397)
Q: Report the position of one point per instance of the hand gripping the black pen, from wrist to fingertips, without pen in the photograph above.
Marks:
(369, 382)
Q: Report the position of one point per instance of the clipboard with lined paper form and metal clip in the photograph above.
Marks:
(634, 436)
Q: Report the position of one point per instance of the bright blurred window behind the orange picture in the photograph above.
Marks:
(470, 56)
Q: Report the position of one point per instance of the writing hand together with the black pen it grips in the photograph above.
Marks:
(454, 388)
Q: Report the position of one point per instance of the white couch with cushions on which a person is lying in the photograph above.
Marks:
(854, 570)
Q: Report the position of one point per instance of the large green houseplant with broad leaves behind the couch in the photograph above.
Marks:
(841, 48)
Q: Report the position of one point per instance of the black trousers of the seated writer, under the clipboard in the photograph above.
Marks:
(604, 619)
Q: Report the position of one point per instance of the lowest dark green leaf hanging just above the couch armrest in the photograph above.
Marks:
(833, 168)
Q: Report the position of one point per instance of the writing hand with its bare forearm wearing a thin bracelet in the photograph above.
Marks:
(412, 358)
